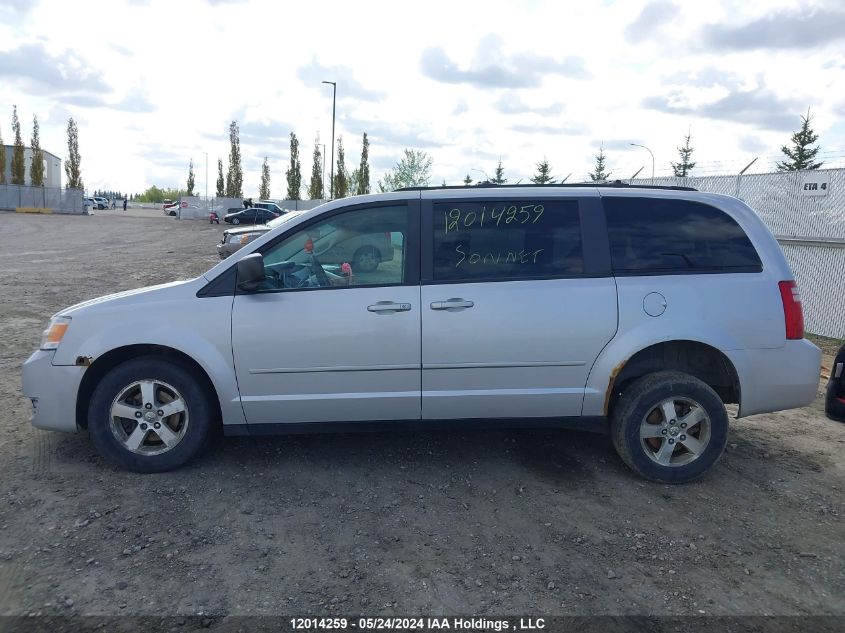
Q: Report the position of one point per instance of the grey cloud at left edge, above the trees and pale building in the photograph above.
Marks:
(35, 65)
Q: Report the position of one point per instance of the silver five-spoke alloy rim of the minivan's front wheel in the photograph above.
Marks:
(149, 417)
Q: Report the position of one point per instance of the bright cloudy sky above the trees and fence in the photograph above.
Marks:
(155, 84)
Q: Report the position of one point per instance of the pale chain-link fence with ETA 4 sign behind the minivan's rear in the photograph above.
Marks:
(806, 212)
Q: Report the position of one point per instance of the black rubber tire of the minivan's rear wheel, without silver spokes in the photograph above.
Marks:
(642, 398)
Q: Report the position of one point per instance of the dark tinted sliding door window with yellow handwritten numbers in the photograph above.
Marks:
(506, 240)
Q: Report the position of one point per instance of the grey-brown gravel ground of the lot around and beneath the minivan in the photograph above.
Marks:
(543, 522)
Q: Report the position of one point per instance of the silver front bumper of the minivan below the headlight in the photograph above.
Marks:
(53, 390)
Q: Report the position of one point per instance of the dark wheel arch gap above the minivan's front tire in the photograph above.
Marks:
(111, 359)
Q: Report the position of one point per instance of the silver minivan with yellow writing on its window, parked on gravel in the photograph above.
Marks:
(635, 311)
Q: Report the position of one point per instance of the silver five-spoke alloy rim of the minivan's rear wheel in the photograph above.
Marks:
(675, 432)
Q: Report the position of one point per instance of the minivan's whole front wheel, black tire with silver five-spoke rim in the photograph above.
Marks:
(149, 415)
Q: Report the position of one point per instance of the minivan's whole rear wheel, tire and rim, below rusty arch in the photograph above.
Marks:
(669, 427)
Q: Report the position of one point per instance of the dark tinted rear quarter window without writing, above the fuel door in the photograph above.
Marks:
(665, 236)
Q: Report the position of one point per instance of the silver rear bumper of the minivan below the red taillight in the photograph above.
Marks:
(777, 379)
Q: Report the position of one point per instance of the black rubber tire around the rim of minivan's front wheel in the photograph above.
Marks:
(201, 414)
